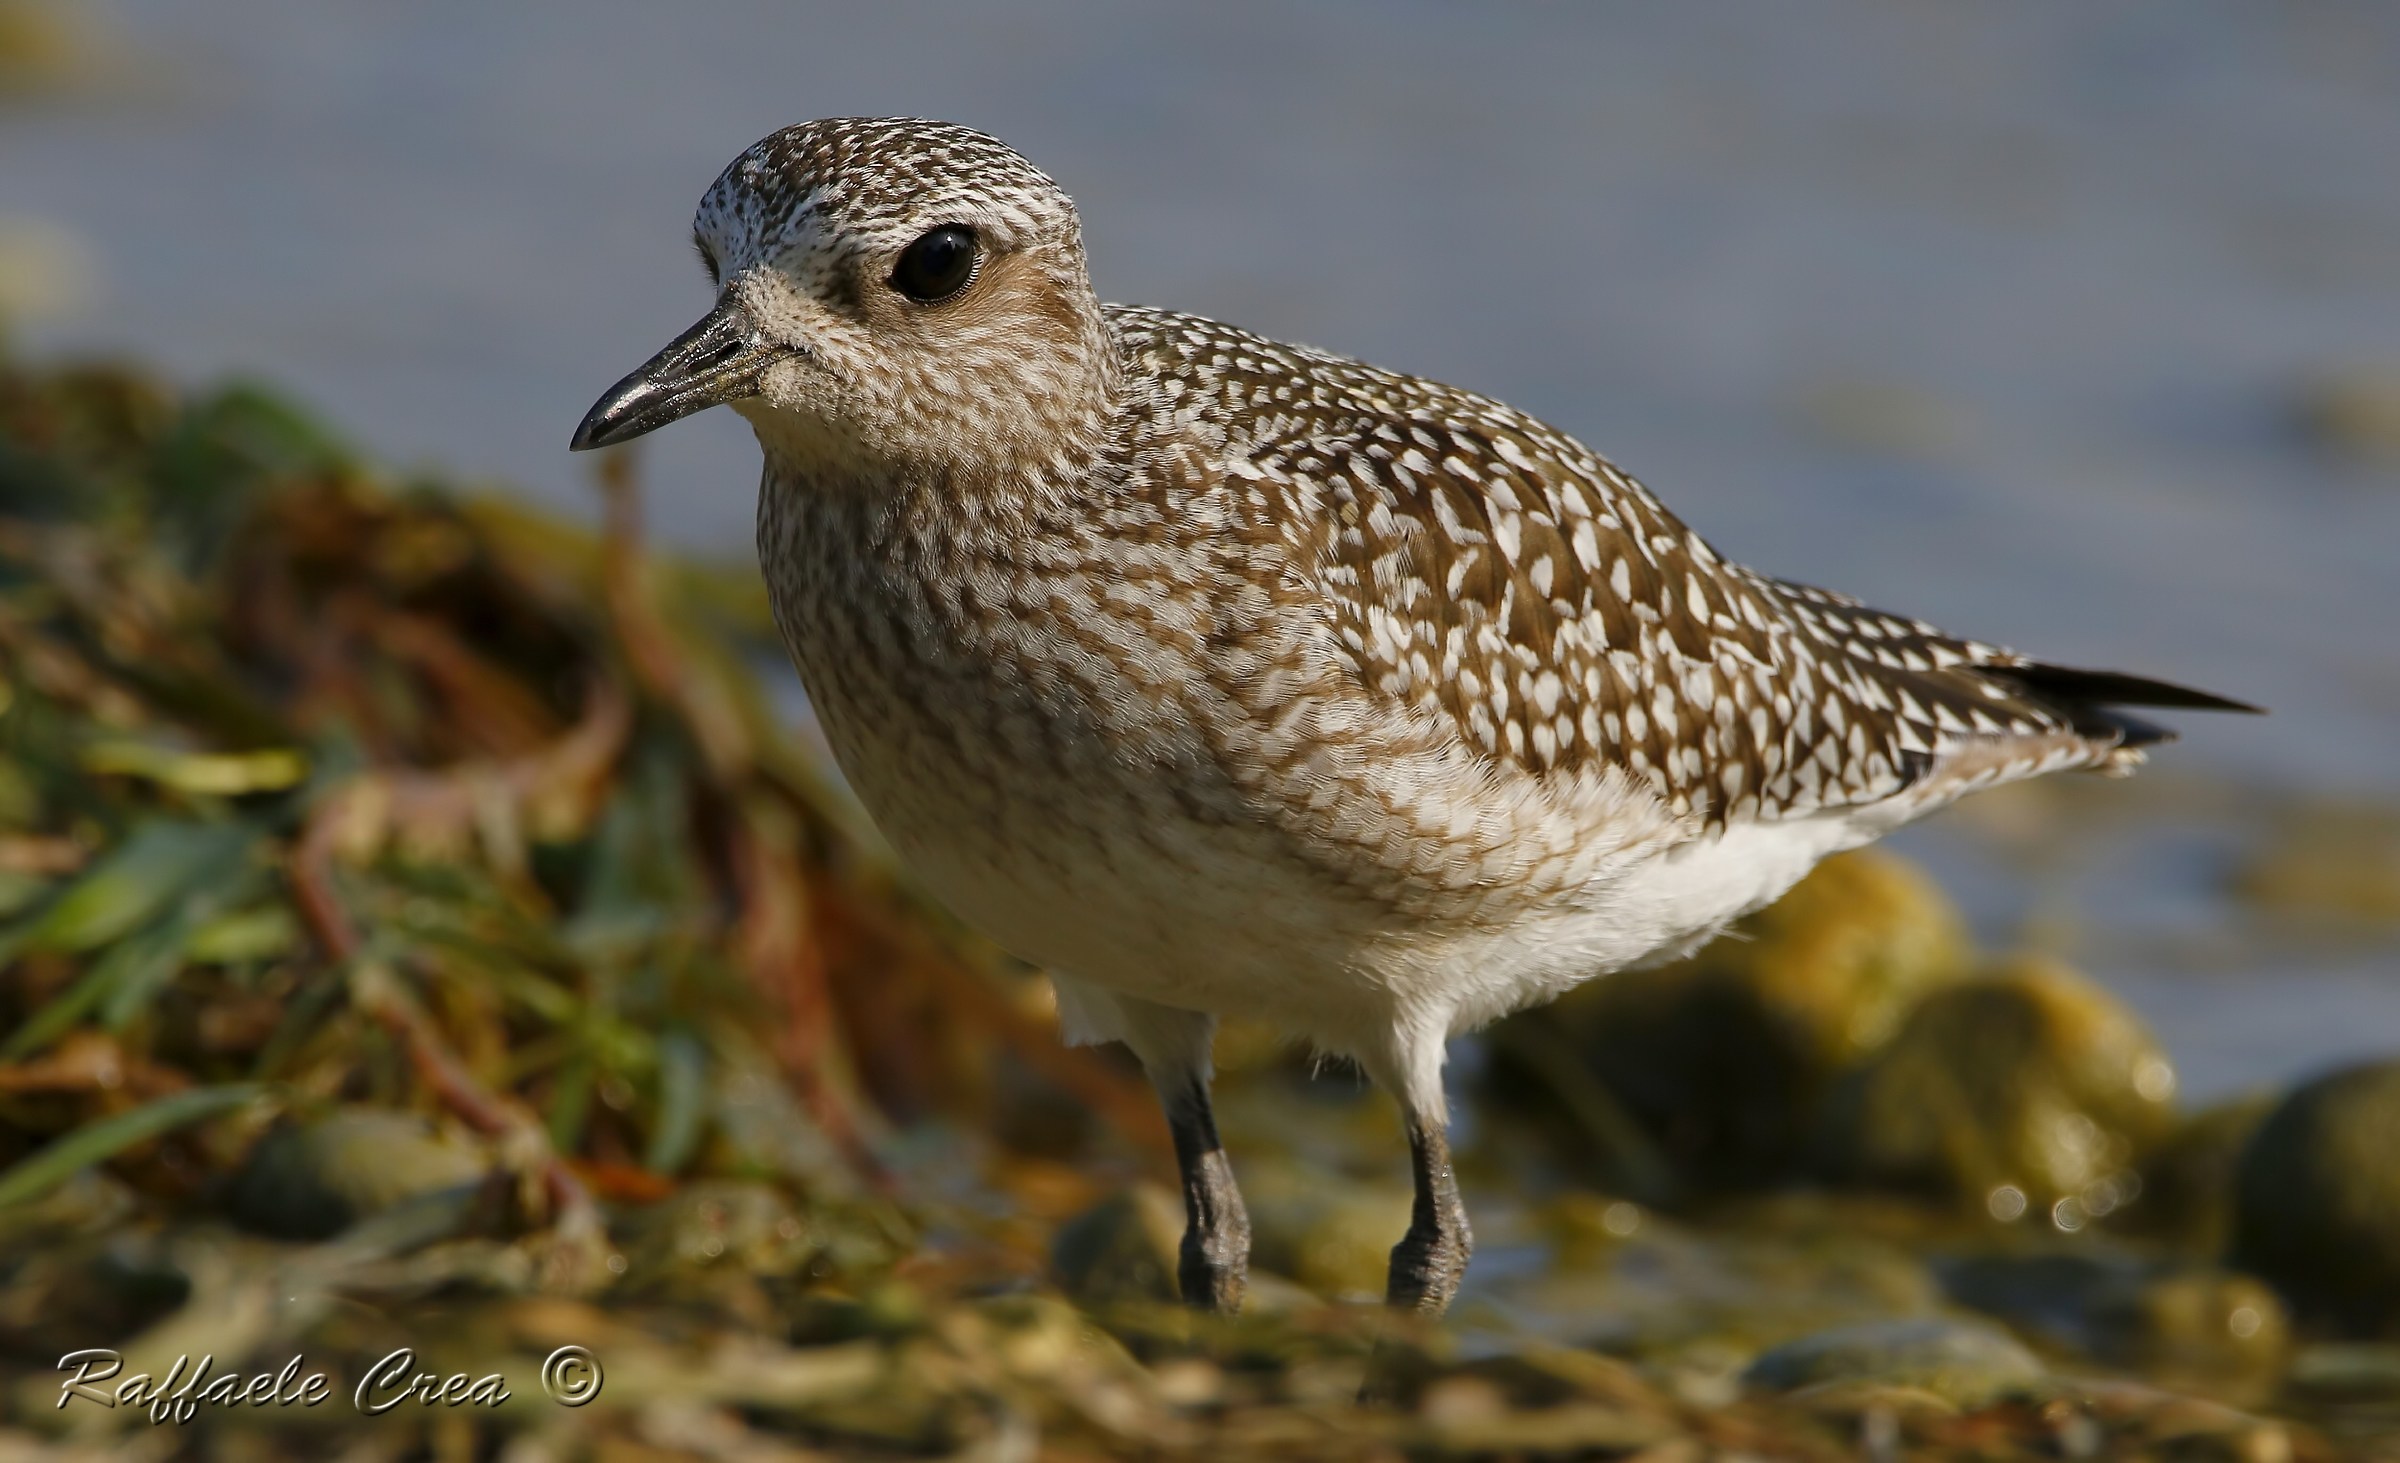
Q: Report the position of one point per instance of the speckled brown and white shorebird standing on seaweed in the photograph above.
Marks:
(1232, 678)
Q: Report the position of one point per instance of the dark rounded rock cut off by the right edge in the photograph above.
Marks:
(2317, 1200)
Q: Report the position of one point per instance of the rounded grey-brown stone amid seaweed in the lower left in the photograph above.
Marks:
(318, 1176)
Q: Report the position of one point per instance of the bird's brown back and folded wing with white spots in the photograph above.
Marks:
(1489, 570)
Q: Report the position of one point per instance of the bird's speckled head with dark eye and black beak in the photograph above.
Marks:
(889, 294)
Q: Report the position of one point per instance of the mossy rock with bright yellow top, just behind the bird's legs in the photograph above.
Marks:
(1717, 1066)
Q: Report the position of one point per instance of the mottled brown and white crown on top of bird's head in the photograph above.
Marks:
(884, 179)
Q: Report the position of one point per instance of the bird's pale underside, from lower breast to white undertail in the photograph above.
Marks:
(1105, 884)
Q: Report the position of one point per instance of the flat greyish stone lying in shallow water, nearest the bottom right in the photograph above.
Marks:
(1964, 1363)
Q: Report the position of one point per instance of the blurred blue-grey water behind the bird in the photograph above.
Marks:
(2063, 325)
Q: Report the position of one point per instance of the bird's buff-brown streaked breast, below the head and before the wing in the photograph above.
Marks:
(1028, 747)
